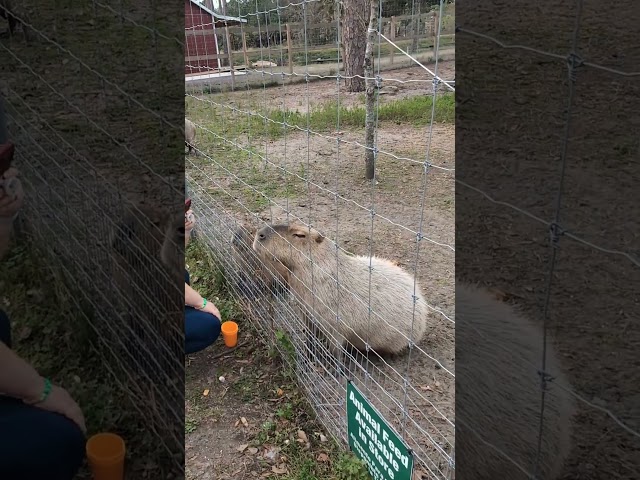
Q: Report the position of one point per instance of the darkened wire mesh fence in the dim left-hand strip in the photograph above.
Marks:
(96, 209)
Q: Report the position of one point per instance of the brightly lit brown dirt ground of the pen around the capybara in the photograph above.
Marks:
(328, 189)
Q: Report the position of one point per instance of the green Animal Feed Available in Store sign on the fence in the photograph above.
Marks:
(374, 441)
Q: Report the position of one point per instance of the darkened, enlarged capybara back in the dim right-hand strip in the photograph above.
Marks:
(498, 393)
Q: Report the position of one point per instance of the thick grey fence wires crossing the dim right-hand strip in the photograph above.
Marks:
(558, 232)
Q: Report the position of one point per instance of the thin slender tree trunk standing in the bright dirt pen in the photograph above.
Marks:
(370, 116)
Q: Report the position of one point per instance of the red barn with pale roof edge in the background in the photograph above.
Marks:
(201, 45)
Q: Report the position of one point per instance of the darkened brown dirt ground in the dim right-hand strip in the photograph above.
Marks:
(511, 115)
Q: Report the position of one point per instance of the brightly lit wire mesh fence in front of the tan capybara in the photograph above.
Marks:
(371, 262)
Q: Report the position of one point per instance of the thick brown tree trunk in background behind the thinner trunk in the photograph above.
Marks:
(354, 41)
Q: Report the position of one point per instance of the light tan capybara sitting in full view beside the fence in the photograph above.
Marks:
(393, 320)
